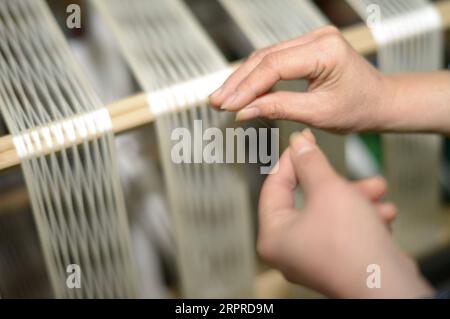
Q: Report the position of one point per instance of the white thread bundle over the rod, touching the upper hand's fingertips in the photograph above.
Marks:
(178, 66)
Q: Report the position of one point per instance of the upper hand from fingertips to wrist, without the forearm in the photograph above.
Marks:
(345, 93)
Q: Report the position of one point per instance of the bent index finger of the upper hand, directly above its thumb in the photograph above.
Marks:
(288, 64)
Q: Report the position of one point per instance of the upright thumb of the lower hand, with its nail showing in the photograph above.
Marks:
(310, 164)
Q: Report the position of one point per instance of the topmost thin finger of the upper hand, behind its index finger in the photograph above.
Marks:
(219, 96)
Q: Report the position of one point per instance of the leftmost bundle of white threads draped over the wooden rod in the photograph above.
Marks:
(63, 137)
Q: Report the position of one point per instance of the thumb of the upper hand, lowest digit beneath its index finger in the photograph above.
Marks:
(295, 106)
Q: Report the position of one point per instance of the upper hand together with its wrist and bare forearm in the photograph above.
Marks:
(345, 93)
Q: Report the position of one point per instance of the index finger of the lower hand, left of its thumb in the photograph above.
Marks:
(277, 192)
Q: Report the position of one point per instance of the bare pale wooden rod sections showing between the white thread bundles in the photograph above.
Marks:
(134, 111)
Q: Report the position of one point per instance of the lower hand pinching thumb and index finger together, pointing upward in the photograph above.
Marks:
(342, 229)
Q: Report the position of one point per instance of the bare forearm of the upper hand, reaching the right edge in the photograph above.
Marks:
(416, 102)
